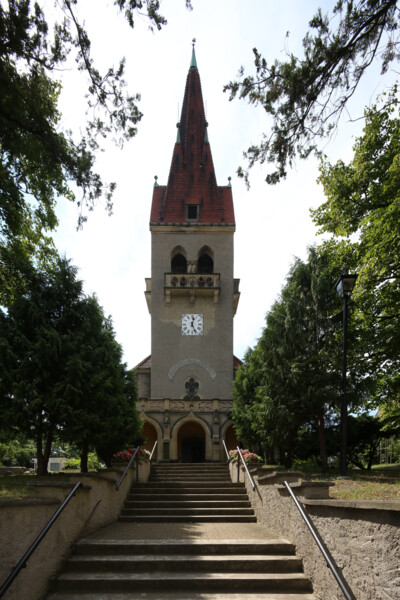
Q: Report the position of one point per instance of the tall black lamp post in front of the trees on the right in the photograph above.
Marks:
(344, 287)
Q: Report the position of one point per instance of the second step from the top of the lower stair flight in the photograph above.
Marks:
(246, 563)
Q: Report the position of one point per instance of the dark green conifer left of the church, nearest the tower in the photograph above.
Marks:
(101, 399)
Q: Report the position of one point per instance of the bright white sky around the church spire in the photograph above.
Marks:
(273, 223)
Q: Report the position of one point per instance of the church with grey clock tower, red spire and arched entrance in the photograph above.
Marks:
(185, 386)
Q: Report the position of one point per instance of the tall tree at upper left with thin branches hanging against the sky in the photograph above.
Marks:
(39, 162)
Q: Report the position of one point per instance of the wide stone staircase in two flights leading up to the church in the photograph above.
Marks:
(188, 499)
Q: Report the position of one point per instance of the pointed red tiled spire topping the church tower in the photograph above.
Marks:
(192, 182)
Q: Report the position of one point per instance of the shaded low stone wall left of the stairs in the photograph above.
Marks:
(95, 505)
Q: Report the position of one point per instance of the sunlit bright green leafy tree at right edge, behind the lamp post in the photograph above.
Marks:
(363, 201)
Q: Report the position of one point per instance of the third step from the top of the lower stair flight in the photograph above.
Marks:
(121, 581)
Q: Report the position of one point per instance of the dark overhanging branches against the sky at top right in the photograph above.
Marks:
(306, 96)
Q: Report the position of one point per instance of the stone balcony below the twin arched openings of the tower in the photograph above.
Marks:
(192, 285)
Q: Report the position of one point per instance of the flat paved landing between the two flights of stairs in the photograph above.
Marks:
(185, 531)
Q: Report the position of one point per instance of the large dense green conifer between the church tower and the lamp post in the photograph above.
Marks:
(291, 381)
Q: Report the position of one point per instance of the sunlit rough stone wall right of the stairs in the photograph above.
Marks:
(362, 537)
